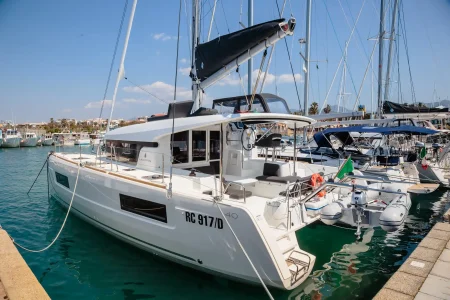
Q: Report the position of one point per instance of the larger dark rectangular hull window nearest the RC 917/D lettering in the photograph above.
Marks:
(149, 209)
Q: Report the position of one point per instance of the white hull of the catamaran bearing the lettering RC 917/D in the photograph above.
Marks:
(186, 238)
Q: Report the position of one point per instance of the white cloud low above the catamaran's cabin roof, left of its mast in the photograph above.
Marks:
(162, 90)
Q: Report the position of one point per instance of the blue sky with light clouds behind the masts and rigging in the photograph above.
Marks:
(55, 55)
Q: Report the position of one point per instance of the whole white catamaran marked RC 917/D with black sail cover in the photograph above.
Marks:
(201, 220)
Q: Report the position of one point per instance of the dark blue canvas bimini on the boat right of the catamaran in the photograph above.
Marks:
(343, 133)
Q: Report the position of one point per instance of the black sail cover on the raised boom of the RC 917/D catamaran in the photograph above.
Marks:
(215, 54)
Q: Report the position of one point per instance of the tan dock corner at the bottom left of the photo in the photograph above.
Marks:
(17, 281)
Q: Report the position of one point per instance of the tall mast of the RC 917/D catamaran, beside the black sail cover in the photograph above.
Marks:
(195, 42)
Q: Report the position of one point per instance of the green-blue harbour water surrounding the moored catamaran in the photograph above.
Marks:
(86, 263)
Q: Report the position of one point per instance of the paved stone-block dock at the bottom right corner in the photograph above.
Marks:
(426, 272)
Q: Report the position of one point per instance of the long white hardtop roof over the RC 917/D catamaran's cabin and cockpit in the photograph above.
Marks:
(152, 131)
